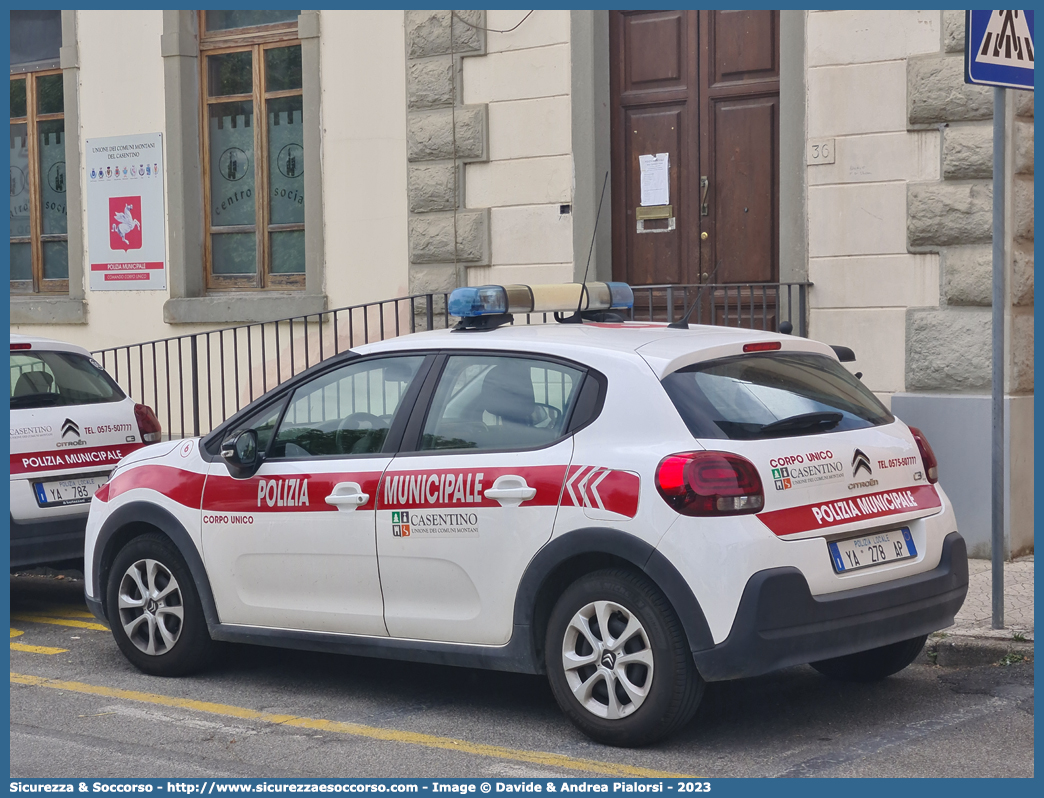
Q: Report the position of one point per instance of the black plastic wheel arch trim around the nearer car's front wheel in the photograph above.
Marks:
(146, 513)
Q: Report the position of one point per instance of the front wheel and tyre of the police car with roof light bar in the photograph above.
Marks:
(155, 612)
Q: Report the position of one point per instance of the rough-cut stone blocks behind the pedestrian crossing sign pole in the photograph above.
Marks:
(948, 347)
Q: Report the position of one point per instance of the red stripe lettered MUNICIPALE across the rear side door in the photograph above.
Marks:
(447, 488)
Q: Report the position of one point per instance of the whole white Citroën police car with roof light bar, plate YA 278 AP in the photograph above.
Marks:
(632, 509)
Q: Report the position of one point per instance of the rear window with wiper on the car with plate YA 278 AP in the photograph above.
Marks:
(756, 397)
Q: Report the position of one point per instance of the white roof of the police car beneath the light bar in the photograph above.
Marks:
(663, 348)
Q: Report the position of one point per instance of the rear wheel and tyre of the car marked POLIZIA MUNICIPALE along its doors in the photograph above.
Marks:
(656, 691)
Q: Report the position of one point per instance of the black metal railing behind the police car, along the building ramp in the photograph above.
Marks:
(198, 381)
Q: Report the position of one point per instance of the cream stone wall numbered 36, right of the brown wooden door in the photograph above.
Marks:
(900, 242)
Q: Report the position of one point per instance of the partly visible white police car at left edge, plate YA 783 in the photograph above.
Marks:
(70, 425)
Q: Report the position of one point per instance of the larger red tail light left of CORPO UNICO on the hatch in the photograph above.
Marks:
(710, 483)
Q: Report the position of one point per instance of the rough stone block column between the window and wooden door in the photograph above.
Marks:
(443, 135)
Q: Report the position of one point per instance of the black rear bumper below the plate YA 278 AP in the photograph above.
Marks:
(780, 623)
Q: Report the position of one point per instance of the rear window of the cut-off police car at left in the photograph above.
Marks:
(59, 380)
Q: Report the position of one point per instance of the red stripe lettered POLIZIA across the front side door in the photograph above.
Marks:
(283, 494)
